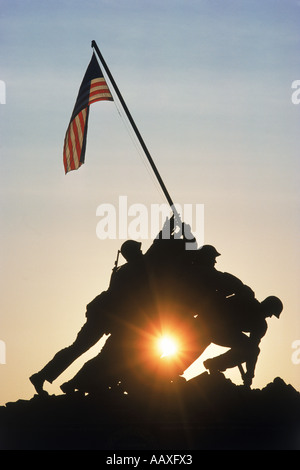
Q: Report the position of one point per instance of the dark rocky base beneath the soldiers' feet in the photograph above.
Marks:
(208, 412)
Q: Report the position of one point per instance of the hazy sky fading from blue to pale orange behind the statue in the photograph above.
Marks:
(209, 86)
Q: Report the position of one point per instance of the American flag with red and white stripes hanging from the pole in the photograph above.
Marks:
(93, 88)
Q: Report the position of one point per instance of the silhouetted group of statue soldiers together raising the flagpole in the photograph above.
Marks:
(169, 285)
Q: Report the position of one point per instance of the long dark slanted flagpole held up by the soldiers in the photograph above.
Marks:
(141, 141)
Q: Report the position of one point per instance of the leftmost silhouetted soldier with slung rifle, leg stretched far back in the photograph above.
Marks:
(101, 316)
